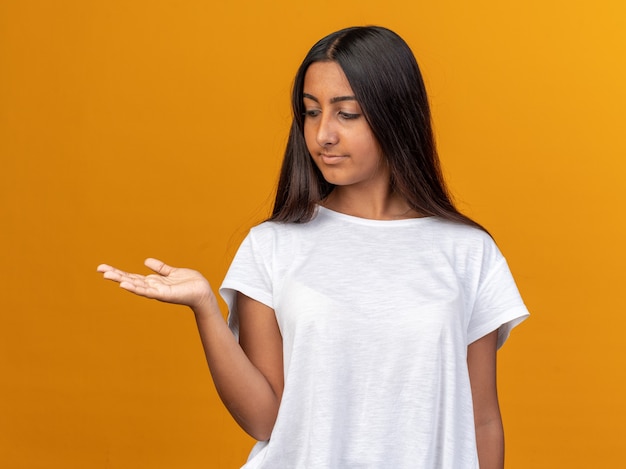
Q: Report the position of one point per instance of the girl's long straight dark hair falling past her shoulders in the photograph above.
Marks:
(387, 83)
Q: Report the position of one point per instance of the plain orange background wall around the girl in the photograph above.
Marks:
(155, 128)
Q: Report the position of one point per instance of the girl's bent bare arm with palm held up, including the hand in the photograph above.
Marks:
(248, 377)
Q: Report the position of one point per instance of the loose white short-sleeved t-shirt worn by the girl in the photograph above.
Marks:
(376, 317)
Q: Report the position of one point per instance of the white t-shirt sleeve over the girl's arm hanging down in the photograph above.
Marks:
(498, 303)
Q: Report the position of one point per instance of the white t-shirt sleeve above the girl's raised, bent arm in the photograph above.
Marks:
(250, 274)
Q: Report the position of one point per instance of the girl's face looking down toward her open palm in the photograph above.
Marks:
(336, 132)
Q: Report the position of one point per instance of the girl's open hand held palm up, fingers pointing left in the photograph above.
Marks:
(169, 284)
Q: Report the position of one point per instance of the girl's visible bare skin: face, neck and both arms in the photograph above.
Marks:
(248, 374)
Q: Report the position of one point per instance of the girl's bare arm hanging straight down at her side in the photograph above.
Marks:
(481, 363)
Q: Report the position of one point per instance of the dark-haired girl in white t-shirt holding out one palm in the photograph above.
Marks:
(365, 314)
